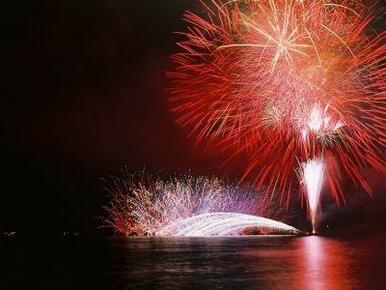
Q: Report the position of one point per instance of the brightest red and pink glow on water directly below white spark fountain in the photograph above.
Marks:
(324, 264)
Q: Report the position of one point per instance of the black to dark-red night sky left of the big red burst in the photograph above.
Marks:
(83, 95)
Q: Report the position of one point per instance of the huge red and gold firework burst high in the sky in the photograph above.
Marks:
(286, 81)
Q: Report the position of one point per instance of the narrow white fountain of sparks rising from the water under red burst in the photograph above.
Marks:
(313, 177)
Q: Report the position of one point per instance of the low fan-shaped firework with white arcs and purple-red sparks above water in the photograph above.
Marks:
(188, 206)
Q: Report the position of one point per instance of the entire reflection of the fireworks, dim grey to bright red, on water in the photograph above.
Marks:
(247, 263)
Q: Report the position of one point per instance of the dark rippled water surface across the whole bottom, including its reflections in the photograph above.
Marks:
(195, 263)
